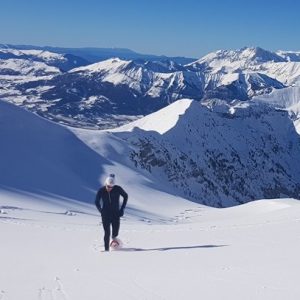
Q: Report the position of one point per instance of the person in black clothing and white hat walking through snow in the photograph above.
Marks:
(108, 204)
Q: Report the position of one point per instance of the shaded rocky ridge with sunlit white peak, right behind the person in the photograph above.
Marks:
(214, 153)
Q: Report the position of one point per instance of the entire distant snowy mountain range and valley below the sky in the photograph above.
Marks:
(115, 91)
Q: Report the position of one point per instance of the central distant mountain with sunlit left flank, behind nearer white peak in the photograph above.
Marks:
(163, 81)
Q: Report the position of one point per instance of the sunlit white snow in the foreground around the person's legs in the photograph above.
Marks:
(247, 252)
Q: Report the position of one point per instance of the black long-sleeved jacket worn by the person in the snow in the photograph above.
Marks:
(108, 203)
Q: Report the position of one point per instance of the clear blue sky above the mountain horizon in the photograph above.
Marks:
(175, 28)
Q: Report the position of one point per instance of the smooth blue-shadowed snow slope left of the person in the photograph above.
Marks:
(38, 156)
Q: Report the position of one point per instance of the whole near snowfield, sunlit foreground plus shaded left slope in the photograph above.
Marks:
(52, 244)
